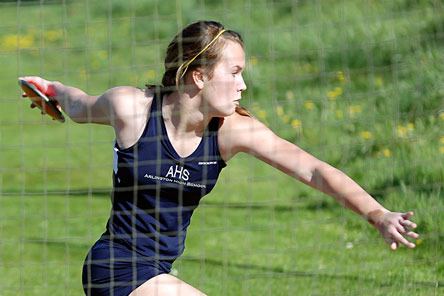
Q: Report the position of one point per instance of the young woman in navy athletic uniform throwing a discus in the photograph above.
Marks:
(172, 141)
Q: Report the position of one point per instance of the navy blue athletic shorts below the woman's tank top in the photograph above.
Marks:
(111, 268)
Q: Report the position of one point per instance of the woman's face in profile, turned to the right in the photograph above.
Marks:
(221, 92)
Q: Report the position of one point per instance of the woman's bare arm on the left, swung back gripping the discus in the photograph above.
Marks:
(113, 107)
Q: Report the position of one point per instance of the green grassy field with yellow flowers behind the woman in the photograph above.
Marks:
(359, 84)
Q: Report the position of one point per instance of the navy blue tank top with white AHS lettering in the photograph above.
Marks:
(156, 191)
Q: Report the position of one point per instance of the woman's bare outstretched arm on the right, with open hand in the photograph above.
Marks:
(251, 136)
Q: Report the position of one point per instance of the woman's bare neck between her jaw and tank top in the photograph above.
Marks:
(183, 113)
